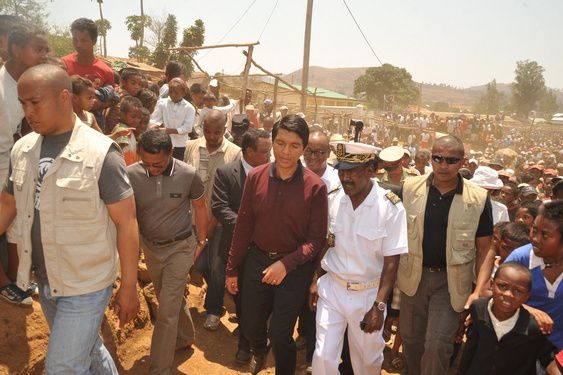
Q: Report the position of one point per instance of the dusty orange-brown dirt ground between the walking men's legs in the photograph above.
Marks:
(24, 335)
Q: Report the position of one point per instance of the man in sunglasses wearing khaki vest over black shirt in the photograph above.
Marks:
(450, 224)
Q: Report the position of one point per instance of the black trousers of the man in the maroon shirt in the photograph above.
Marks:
(283, 302)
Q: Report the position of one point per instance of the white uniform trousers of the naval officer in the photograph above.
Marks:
(338, 308)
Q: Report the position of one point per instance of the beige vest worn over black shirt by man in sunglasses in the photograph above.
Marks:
(463, 221)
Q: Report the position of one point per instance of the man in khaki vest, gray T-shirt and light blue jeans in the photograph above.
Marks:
(74, 211)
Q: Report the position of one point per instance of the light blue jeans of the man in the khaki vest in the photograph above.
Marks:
(75, 346)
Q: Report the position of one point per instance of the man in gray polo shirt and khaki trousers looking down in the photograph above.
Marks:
(164, 188)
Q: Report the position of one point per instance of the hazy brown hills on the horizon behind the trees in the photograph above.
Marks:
(342, 80)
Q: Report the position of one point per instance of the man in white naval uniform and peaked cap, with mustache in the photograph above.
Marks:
(367, 234)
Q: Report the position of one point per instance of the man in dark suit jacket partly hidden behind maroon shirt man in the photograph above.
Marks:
(225, 201)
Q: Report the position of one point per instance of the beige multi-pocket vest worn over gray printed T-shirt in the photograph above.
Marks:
(78, 236)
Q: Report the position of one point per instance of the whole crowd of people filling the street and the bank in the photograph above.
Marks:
(437, 239)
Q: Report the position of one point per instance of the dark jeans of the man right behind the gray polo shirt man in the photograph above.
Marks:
(212, 267)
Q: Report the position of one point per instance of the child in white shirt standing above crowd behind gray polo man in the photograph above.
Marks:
(175, 116)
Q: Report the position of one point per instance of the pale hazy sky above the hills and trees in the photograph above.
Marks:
(457, 42)
